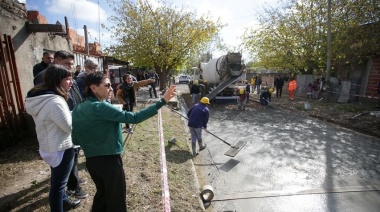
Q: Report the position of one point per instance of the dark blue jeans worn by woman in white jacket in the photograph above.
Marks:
(58, 181)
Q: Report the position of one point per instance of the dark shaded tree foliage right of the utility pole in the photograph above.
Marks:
(355, 33)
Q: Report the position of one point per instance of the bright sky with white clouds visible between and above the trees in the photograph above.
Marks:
(237, 14)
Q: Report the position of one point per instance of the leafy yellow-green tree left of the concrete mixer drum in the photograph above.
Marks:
(161, 37)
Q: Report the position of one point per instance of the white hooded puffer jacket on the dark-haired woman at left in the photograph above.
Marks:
(53, 121)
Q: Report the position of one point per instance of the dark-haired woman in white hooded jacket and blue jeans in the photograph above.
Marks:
(46, 103)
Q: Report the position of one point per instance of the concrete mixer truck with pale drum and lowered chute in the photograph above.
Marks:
(219, 75)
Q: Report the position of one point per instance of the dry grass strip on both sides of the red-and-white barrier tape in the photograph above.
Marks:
(142, 166)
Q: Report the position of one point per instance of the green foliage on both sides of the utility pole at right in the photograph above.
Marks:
(293, 37)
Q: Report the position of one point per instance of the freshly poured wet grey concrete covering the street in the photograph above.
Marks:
(290, 163)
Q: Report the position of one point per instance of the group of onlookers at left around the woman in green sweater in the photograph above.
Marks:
(71, 111)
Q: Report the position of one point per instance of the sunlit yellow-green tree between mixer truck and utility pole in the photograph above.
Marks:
(290, 38)
